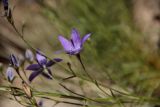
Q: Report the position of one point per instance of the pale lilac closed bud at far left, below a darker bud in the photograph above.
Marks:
(10, 74)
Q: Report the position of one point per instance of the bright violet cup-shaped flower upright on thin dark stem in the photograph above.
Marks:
(75, 45)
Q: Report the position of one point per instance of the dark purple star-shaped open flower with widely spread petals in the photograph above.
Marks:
(42, 66)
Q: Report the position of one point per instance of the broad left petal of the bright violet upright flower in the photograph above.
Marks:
(67, 45)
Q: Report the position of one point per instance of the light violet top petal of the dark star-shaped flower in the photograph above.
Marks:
(42, 60)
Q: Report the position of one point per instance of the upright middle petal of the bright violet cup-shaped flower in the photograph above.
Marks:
(75, 37)
